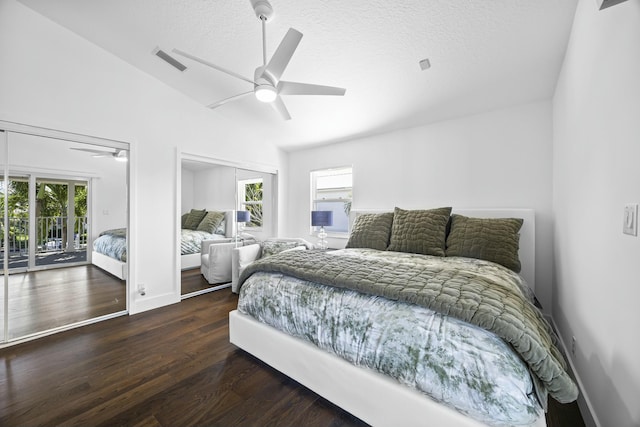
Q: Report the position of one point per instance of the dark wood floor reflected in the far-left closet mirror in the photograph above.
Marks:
(47, 299)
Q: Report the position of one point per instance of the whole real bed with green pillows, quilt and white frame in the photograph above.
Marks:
(472, 385)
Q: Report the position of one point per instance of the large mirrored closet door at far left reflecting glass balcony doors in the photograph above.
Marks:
(58, 196)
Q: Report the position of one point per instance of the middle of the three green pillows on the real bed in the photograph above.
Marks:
(419, 231)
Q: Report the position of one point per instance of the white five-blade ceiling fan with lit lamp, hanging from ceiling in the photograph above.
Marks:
(267, 86)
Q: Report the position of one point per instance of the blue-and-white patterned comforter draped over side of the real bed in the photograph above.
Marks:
(458, 364)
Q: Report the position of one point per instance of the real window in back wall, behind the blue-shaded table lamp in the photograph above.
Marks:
(331, 190)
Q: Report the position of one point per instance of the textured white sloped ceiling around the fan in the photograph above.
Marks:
(484, 55)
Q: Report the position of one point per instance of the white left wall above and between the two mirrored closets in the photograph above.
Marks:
(52, 78)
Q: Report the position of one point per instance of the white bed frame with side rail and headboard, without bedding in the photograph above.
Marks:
(370, 396)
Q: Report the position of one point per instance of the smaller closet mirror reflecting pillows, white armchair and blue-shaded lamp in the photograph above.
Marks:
(211, 187)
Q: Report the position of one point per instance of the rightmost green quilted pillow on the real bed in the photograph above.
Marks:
(490, 239)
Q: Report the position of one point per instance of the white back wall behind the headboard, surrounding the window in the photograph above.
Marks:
(496, 159)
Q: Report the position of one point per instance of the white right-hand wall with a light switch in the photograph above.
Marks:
(596, 112)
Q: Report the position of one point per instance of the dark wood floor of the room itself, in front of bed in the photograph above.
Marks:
(173, 366)
